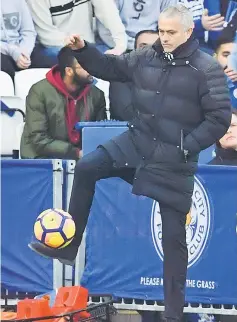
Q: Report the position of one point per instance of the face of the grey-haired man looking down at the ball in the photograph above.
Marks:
(172, 33)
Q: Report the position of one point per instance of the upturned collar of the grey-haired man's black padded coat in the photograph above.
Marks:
(183, 51)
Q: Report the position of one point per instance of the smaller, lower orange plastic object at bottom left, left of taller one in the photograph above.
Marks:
(33, 308)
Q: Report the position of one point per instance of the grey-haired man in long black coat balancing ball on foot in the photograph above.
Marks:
(183, 107)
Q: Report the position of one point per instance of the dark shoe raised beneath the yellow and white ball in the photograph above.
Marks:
(65, 255)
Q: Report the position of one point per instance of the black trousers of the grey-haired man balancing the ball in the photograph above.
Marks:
(98, 165)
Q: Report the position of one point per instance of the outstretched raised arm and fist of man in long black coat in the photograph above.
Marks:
(106, 67)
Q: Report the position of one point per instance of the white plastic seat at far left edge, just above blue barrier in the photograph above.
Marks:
(11, 126)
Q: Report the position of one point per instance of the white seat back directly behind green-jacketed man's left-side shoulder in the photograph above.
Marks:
(26, 78)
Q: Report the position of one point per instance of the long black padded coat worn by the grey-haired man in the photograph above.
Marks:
(187, 93)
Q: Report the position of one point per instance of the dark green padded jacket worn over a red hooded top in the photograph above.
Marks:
(45, 133)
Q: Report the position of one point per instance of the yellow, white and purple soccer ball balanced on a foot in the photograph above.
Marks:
(54, 228)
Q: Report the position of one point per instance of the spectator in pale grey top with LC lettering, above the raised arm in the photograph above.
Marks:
(136, 15)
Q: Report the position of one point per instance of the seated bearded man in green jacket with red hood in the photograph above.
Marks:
(53, 107)
